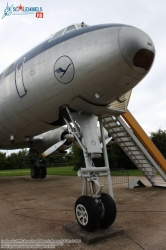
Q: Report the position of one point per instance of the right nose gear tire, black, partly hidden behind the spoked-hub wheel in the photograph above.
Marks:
(109, 210)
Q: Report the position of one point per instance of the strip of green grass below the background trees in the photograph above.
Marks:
(66, 171)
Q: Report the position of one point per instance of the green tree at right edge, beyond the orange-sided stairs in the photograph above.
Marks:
(159, 139)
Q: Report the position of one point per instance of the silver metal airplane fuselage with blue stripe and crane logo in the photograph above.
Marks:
(86, 68)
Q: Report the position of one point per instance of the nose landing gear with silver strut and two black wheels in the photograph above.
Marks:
(94, 208)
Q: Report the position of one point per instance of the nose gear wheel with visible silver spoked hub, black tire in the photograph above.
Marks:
(88, 213)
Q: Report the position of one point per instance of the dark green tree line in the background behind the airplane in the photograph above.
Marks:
(117, 158)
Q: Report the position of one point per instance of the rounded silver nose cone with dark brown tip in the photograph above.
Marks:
(137, 49)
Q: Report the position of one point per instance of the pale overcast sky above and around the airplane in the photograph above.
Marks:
(19, 34)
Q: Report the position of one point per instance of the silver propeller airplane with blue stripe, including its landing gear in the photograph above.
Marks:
(73, 78)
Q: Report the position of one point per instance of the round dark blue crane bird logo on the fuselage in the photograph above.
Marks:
(64, 69)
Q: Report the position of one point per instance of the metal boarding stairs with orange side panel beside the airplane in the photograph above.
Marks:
(127, 133)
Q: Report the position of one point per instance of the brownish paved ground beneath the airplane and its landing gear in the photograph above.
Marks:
(38, 209)
